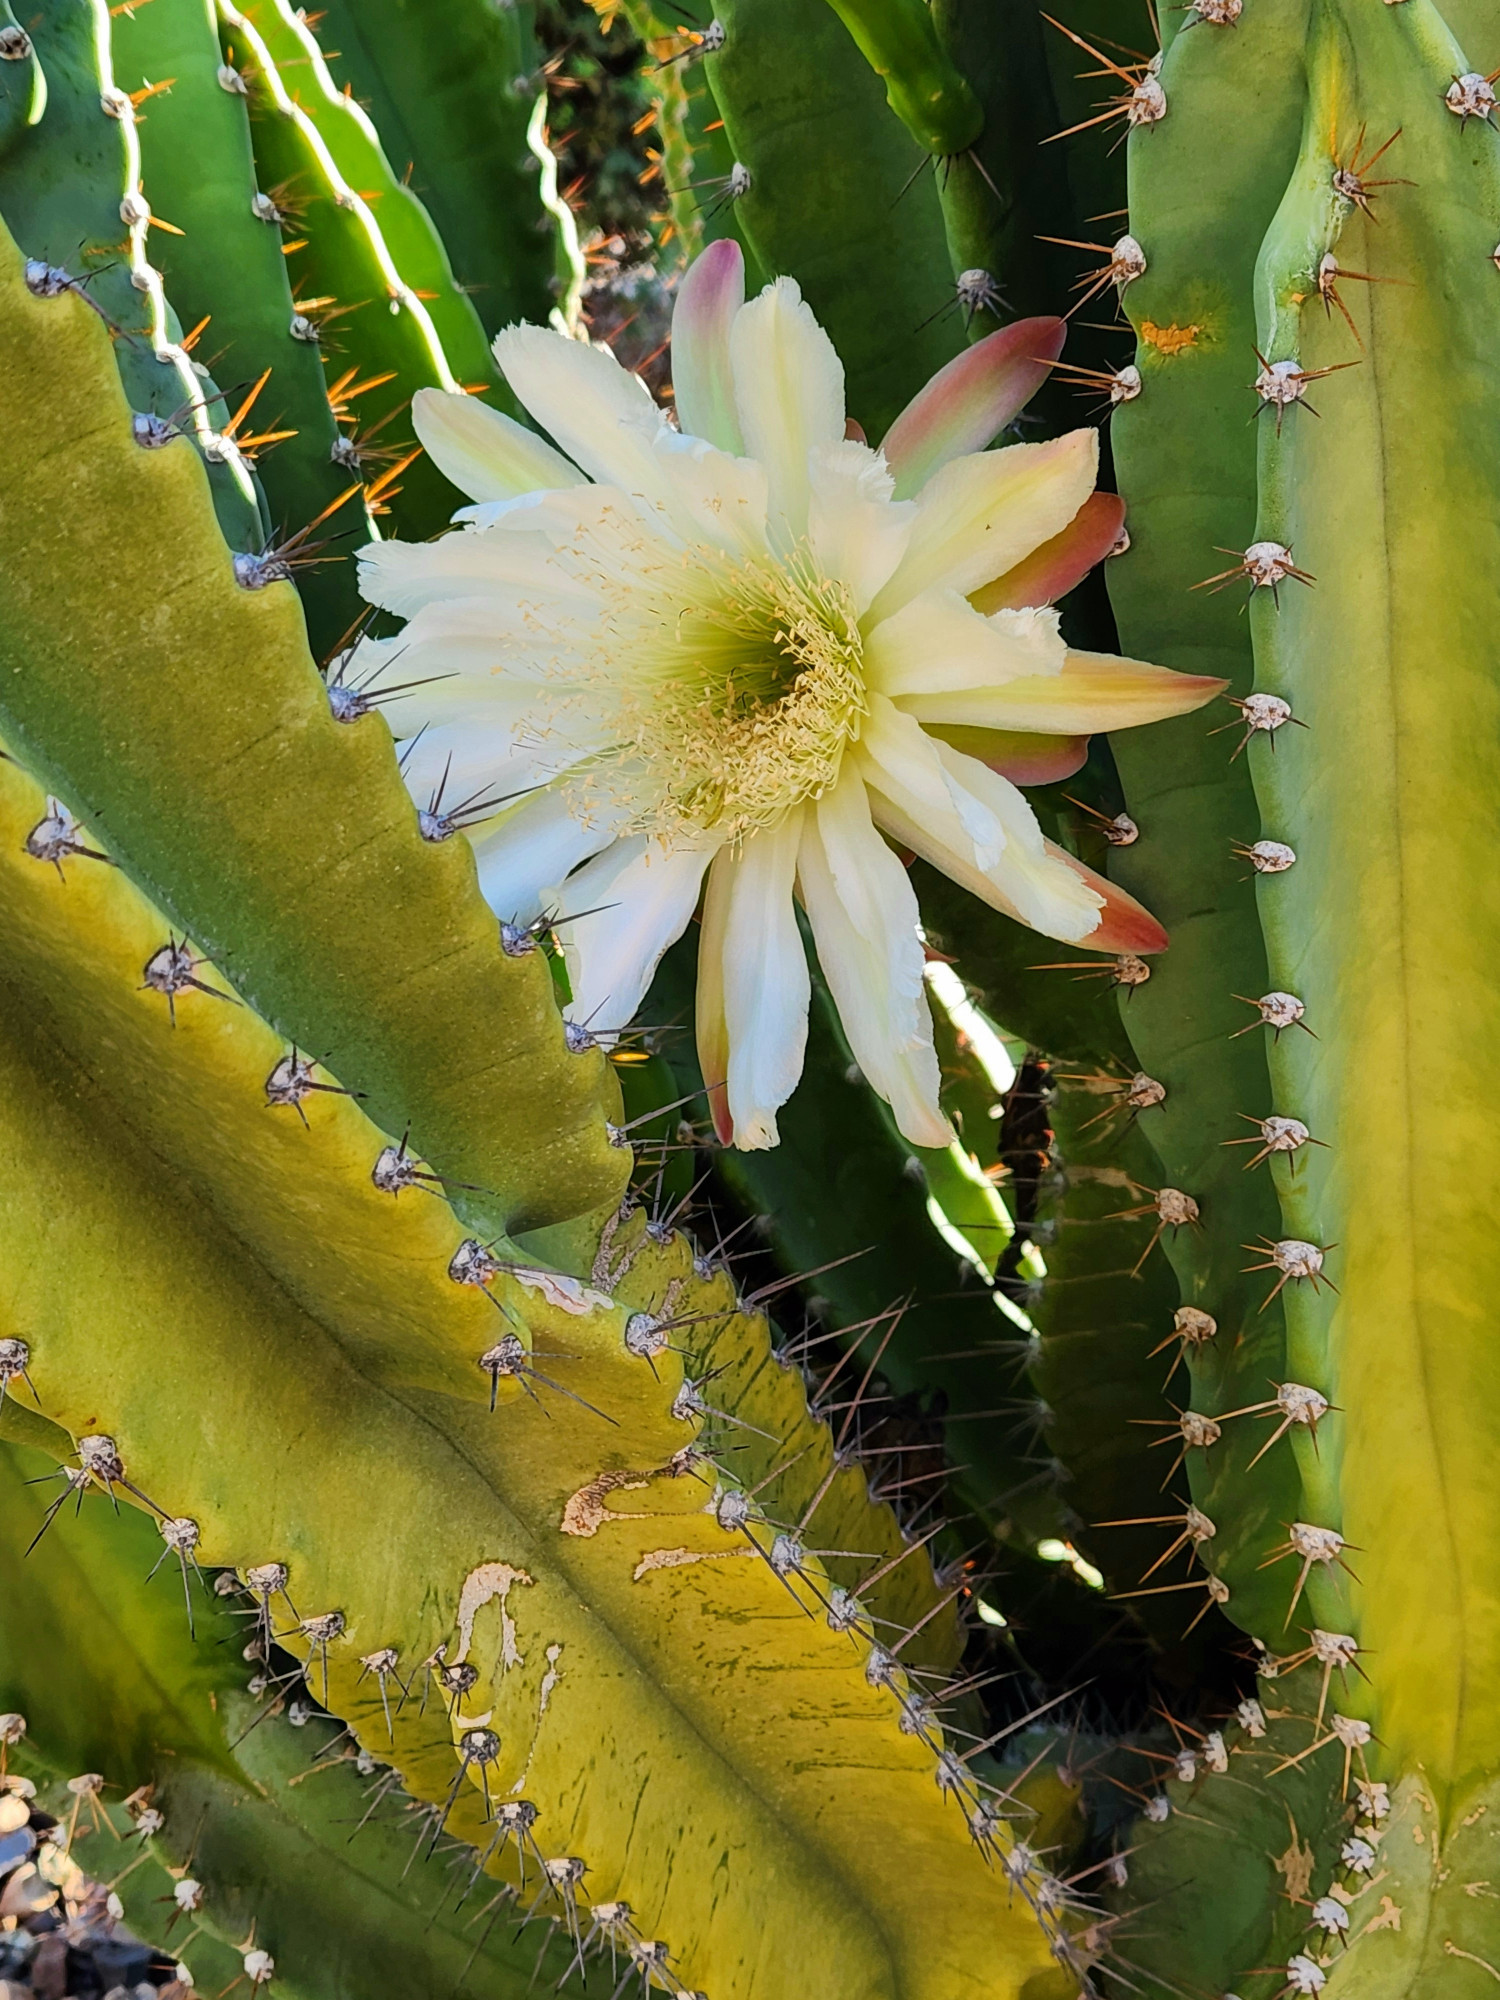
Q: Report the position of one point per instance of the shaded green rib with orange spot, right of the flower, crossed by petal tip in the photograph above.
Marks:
(1185, 459)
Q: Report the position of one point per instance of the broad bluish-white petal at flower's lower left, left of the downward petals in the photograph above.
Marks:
(641, 897)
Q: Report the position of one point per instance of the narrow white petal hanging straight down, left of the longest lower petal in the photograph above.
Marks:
(765, 979)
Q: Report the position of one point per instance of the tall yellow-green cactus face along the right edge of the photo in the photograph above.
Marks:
(1387, 927)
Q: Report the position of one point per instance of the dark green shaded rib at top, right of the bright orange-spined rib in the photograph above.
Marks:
(453, 93)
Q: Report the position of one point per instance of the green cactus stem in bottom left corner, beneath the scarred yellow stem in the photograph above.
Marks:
(291, 1837)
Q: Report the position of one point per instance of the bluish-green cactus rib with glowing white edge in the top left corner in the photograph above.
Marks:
(71, 195)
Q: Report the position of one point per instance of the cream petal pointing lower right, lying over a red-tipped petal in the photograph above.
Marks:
(1027, 881)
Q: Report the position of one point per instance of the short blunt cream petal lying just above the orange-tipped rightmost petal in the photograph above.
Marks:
(939, 641)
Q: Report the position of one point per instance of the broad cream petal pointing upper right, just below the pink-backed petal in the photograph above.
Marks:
(979, 517)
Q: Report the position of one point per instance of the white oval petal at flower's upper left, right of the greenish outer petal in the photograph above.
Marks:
(599, 413)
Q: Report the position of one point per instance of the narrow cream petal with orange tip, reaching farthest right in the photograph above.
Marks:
(1093, 693)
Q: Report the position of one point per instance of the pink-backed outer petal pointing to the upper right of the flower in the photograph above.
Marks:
(969, 403)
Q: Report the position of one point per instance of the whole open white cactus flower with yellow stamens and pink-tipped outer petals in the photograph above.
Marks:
(737, 663)
